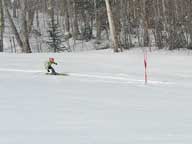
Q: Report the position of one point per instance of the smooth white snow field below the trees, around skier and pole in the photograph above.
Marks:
(103, 100)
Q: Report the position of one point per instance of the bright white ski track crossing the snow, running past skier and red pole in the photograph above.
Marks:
(101, 77)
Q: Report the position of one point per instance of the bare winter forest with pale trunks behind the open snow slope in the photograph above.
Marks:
(58, 25)
